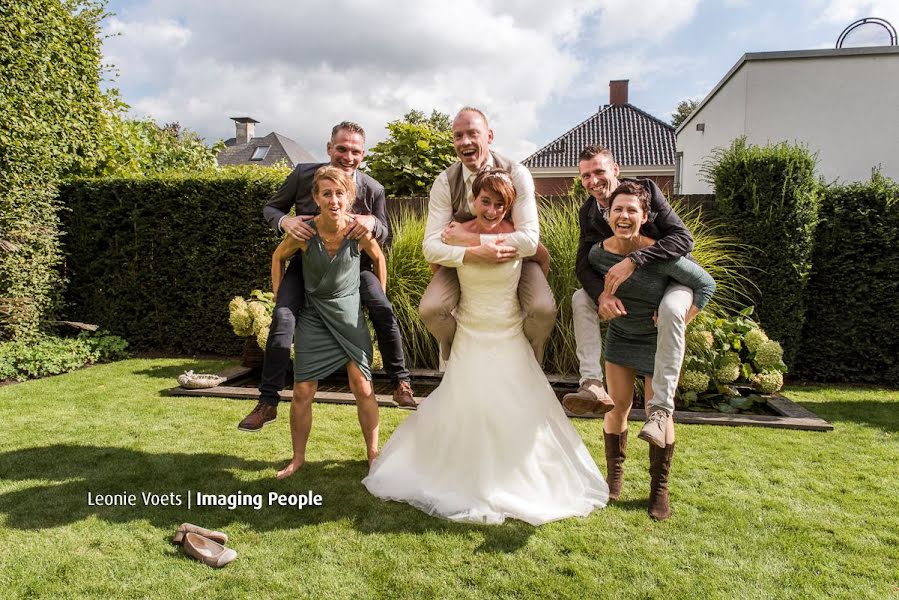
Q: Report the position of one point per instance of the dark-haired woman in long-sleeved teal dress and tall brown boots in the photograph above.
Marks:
(631, 339)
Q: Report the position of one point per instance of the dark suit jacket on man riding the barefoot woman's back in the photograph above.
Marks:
(296, 192)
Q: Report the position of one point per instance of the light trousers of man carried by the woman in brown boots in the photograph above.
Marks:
(672, 326)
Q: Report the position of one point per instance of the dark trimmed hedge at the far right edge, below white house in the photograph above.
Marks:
(853, 309)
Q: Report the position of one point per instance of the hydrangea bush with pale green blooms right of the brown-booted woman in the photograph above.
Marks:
(730, 363)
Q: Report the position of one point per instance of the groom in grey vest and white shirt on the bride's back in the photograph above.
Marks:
(448, 245)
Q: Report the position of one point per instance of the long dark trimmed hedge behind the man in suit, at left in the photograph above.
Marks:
(156, 260)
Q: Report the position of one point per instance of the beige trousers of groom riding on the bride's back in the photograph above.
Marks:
(536, 299)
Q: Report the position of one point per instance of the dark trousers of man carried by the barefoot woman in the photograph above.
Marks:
(290, 302)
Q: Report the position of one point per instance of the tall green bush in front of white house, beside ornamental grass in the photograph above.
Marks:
(768, 197)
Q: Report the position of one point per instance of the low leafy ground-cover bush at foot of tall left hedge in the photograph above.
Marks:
(51, 355)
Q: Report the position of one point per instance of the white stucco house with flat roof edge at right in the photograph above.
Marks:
(841, 103)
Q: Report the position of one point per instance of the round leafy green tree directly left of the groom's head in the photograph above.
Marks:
(416, 151)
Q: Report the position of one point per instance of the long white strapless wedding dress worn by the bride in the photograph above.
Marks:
(492, 441)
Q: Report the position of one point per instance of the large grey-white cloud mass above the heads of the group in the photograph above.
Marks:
(301, 67)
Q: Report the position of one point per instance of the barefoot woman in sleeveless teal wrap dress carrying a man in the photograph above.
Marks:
(331, 332)
